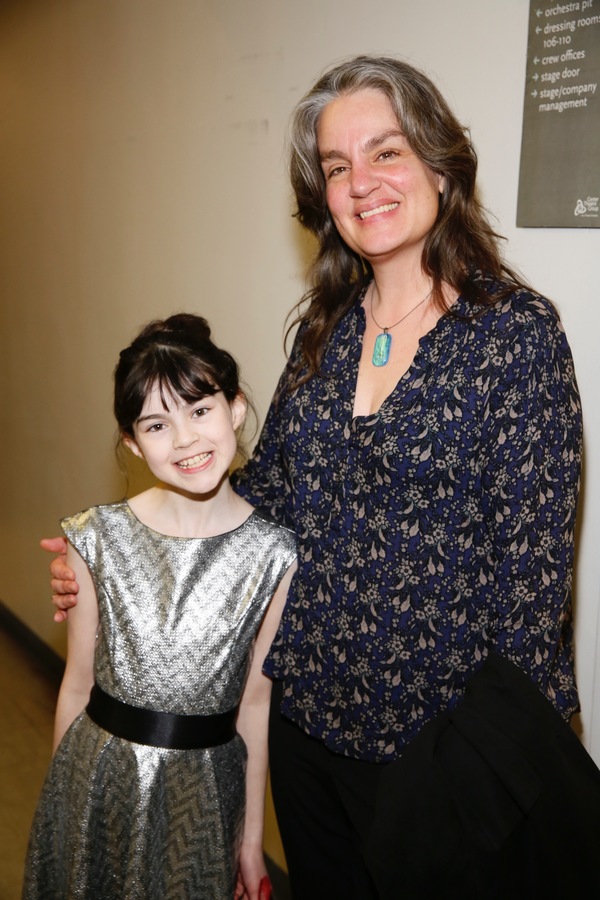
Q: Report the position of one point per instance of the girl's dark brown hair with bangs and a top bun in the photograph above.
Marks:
(178, 355)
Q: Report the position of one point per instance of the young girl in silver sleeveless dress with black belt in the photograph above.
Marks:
(156, 788)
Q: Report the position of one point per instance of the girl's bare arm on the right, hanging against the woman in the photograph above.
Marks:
(252, 724)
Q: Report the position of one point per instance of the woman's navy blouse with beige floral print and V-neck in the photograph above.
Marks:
(430, 532)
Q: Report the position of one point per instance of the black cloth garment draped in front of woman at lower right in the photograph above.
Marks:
(495, 799)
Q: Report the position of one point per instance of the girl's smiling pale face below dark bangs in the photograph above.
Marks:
(188, 446)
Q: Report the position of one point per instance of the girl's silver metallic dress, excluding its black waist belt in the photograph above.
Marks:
(178, 617)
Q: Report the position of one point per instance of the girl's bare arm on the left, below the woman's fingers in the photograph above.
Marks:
(78, 679)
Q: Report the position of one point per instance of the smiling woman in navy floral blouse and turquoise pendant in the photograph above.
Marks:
(424, 443)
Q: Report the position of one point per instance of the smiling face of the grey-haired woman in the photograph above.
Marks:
(383, 199)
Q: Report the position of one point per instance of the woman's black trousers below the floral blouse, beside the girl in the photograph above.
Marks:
(324, 804)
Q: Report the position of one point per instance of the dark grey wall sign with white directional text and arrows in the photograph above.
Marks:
(559, 182)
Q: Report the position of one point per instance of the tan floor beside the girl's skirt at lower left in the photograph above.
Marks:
(27, 700)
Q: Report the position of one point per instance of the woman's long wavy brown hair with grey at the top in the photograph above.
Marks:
(461, 242)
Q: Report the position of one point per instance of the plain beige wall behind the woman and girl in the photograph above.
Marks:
(142, 172)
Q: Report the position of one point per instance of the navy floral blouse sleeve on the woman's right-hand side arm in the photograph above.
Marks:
(531, 464)
